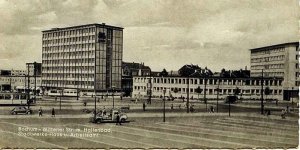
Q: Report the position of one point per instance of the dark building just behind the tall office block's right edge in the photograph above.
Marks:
(128, 71)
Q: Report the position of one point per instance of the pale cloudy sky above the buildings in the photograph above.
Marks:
(160, 33)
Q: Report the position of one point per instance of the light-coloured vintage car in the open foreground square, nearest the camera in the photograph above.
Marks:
(103, 116)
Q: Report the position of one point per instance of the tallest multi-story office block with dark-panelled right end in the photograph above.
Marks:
(86, 57)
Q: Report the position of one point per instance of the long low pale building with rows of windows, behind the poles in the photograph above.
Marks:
(250, 87)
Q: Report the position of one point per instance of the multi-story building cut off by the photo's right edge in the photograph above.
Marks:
(280, 60)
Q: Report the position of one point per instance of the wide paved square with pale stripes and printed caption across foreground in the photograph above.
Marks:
(246, 128)
